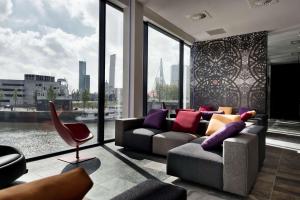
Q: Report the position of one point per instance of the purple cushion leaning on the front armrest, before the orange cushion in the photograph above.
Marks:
(216, 139)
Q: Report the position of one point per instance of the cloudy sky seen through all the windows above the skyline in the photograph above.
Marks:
(49, 37)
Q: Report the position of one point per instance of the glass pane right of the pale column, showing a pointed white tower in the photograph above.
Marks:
(163, 71)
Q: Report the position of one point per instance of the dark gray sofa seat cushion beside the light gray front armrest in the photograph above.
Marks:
(191, 162)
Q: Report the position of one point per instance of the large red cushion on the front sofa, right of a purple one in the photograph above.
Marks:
(186, 121)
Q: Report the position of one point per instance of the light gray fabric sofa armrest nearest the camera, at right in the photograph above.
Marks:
(240, 159)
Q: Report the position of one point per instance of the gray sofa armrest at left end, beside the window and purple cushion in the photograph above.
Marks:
(125, 124)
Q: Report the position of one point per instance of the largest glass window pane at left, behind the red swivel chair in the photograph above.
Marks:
(48, 51)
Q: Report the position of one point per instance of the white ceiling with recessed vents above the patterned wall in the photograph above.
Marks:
(281, 19)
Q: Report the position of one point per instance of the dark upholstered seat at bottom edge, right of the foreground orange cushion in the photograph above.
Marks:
(153, 190)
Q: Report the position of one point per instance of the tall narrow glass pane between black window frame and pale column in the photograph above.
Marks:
(113, 70)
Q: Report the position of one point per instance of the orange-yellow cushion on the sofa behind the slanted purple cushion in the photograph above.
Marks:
(219, 121)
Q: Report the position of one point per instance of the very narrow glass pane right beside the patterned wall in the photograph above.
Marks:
(186, 76)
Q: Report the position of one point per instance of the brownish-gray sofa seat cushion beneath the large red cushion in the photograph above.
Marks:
(163, 142)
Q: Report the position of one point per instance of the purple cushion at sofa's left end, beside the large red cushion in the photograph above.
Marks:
(155, 118)
